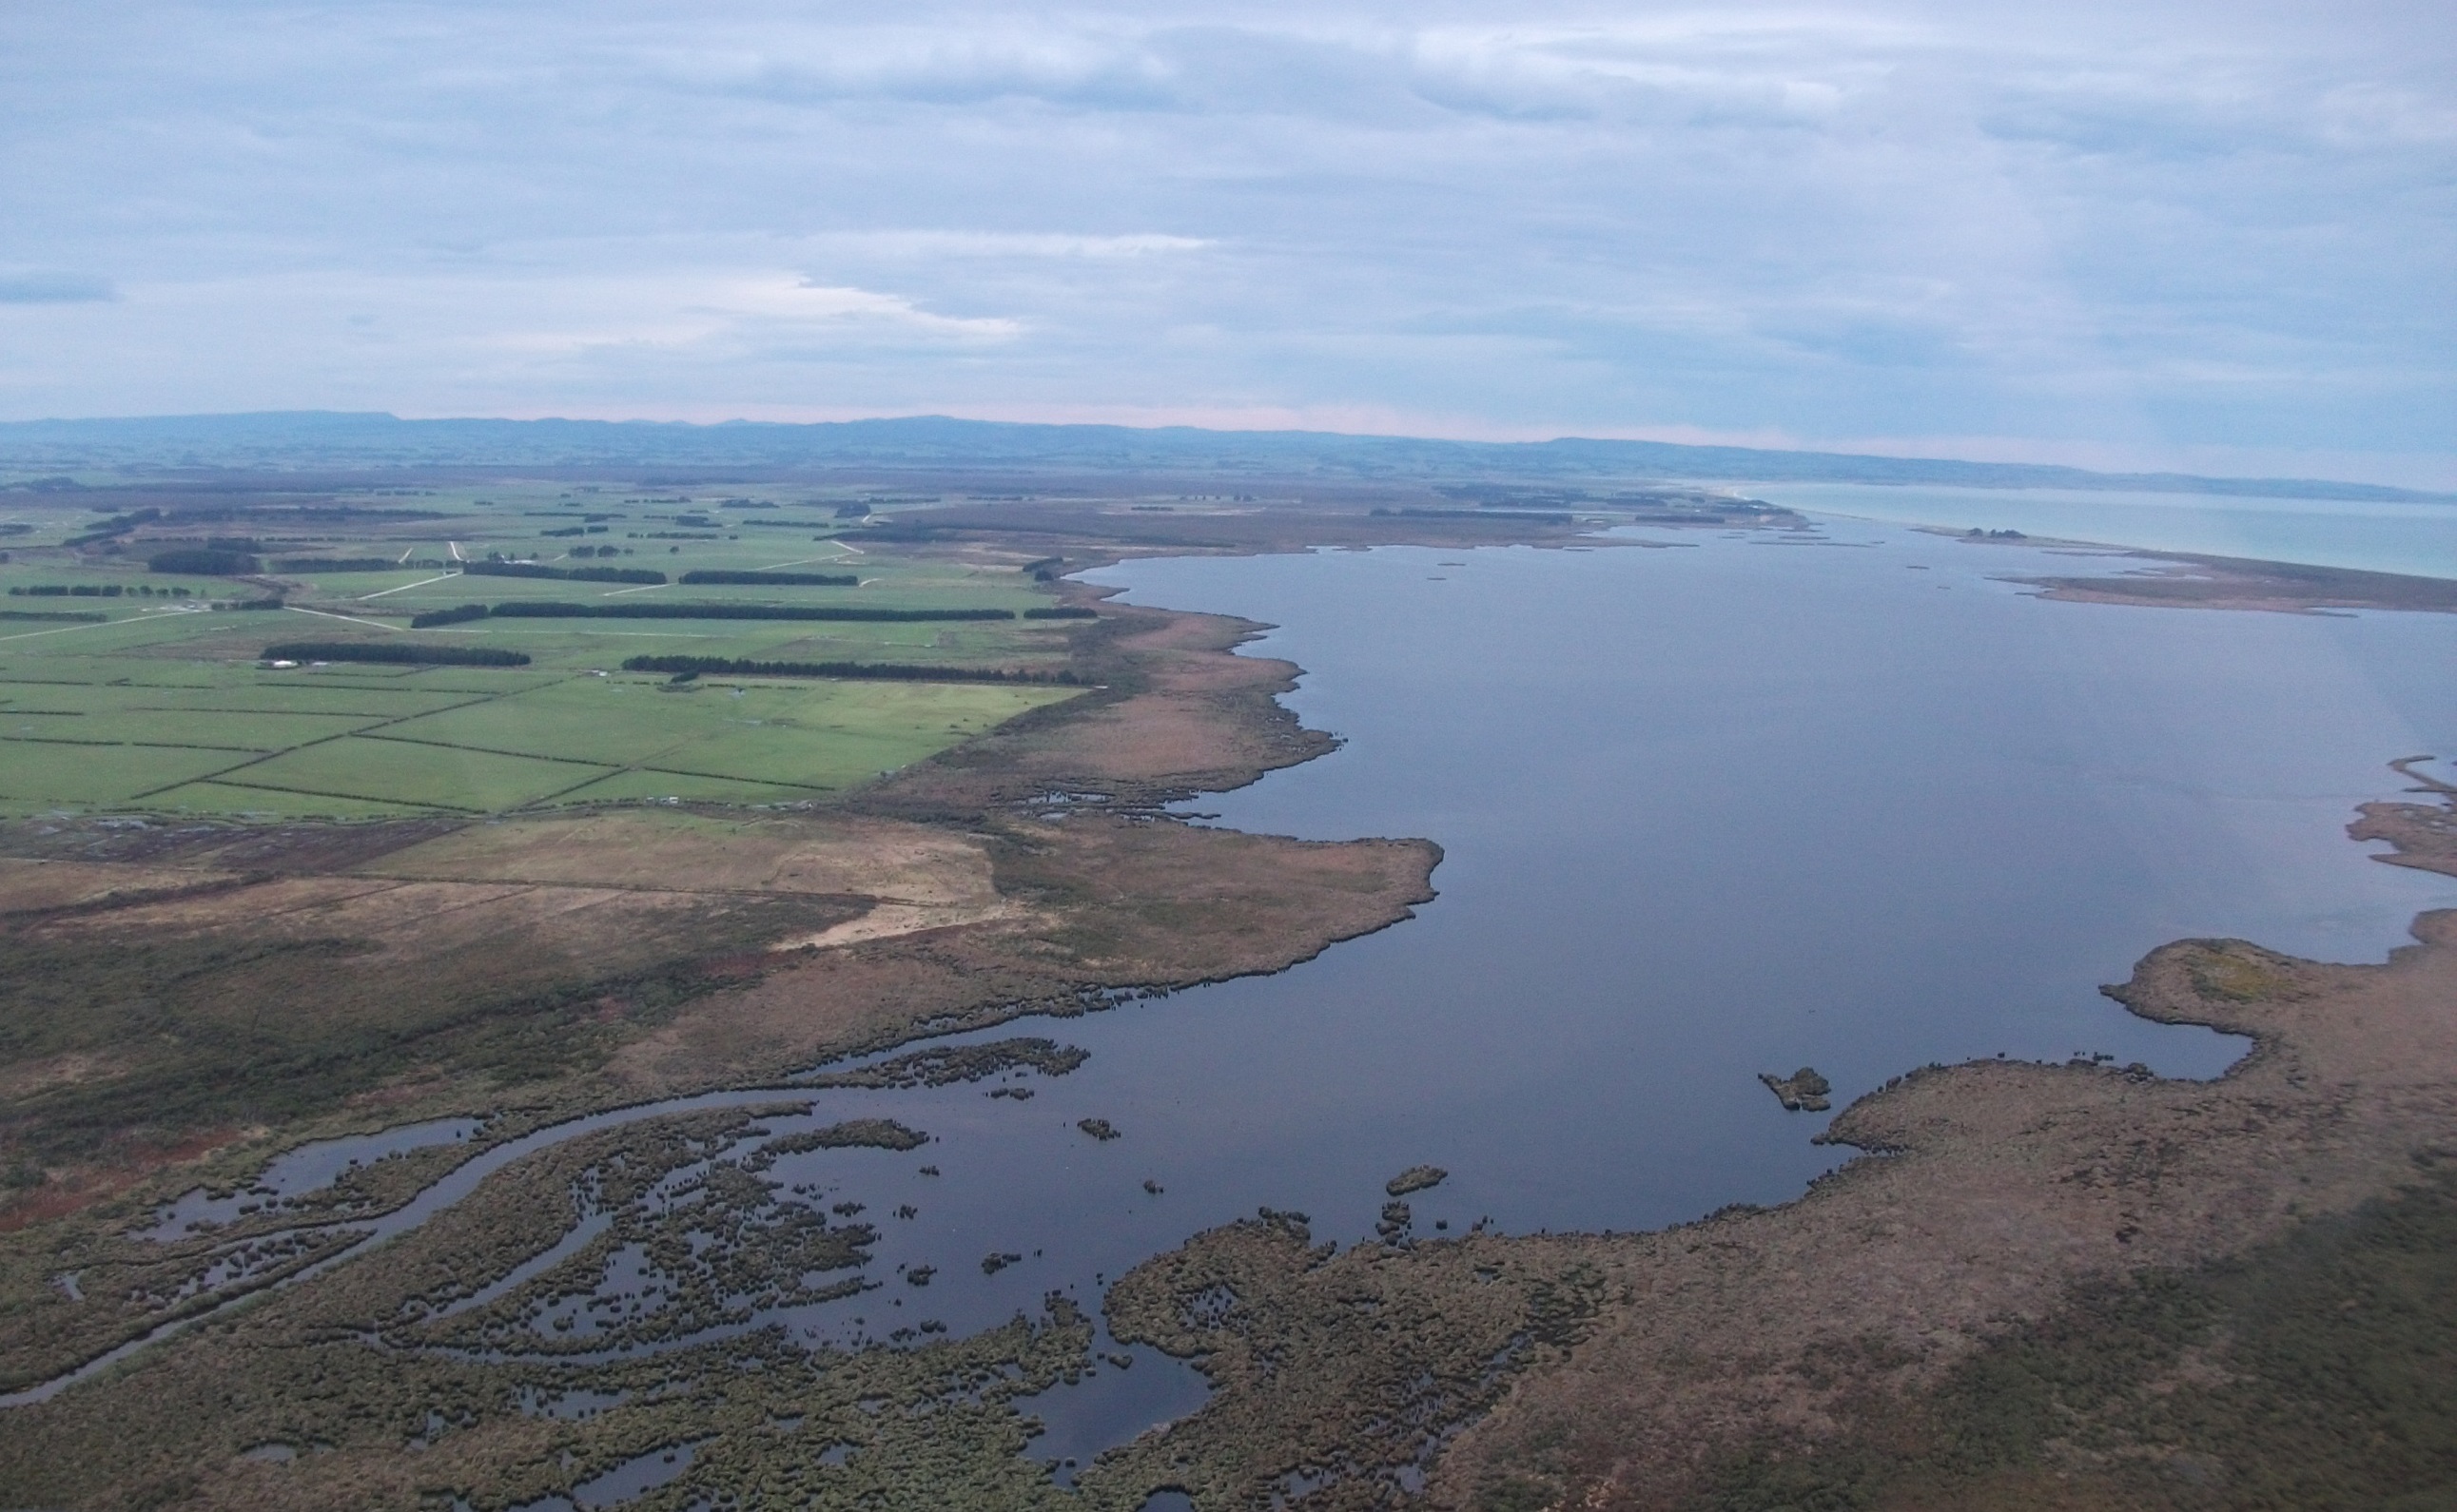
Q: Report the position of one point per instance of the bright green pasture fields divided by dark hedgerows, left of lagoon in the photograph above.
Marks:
(166, 708)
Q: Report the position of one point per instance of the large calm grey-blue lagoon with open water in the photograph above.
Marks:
(1714, 806)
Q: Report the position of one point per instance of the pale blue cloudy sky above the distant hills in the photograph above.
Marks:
(2146, 234)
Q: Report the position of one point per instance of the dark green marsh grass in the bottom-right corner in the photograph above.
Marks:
(2308, 1376)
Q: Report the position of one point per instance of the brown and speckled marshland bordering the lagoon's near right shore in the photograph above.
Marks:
(1984, 1197)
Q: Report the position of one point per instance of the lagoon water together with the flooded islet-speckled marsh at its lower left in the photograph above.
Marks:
(1736, 831)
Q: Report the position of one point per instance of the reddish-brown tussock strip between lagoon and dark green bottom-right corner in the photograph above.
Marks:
(1989, 1194)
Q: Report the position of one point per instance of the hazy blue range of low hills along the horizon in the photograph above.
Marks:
(348, 441)
